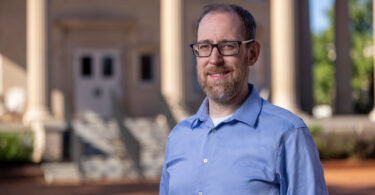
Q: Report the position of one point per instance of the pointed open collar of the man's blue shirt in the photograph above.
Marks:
(247, 113)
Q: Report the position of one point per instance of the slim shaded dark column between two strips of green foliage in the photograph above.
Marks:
(343, 73)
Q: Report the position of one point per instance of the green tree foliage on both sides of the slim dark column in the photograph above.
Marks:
(361, 55)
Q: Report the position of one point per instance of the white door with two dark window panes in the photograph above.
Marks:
(97, 77)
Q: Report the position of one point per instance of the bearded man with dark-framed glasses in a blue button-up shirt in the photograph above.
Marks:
(237, 143)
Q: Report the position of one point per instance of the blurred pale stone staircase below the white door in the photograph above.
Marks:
(105, 155)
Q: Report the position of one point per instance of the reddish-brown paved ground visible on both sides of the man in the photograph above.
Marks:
(343, 178)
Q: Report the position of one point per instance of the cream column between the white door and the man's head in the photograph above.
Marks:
(171, 50)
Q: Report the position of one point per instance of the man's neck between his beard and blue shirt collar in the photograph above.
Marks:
(217, 109)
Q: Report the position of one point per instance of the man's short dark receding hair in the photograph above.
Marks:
(248, 21)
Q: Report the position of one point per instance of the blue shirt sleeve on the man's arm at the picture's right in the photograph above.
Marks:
(300, 169)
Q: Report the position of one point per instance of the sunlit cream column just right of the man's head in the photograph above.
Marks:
(283, 60)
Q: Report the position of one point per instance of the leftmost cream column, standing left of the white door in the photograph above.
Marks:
(36, 62)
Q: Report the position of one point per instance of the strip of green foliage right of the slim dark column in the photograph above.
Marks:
(361, 53)
